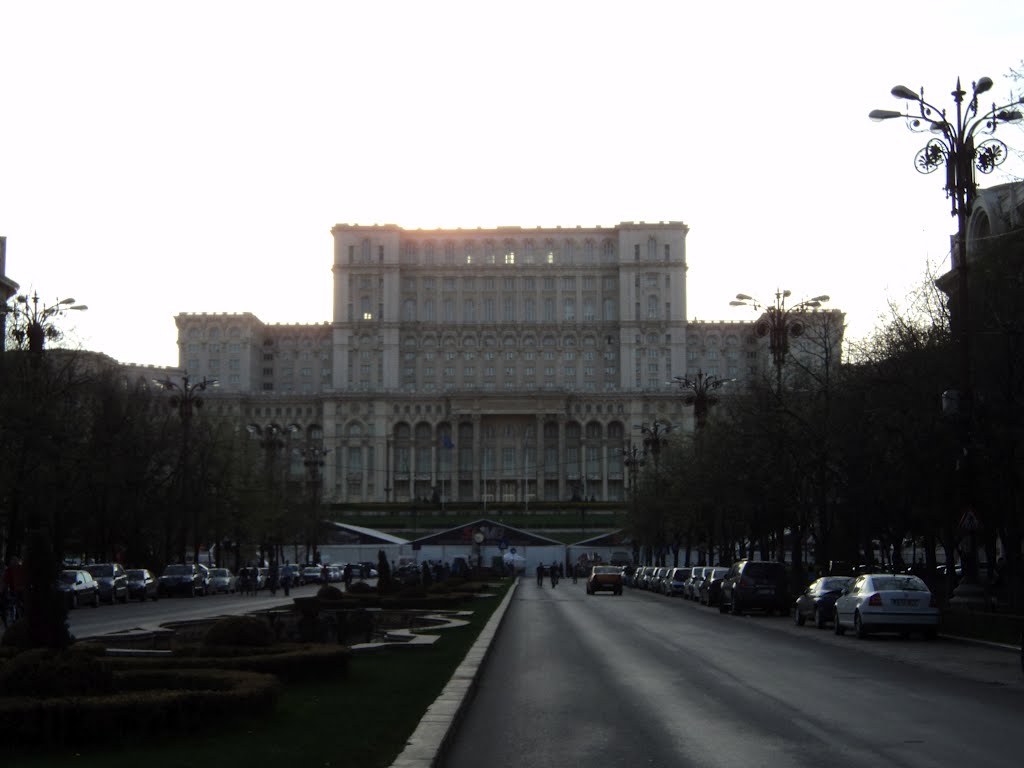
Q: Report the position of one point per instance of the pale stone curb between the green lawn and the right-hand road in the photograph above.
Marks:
(426, 745)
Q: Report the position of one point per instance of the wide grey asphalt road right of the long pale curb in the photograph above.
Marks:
(645, 680)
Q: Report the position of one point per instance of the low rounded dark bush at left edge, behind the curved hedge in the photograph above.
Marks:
(44, 672)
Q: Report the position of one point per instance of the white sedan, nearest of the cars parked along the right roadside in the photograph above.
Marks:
(887, 603)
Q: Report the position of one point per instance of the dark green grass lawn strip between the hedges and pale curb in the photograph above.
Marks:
(363, 720)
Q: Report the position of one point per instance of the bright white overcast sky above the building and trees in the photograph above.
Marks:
(160, 158)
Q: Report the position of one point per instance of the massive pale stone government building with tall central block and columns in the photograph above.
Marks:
(502, 365)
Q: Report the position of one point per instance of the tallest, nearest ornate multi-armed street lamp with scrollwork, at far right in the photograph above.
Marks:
(956, 146)
